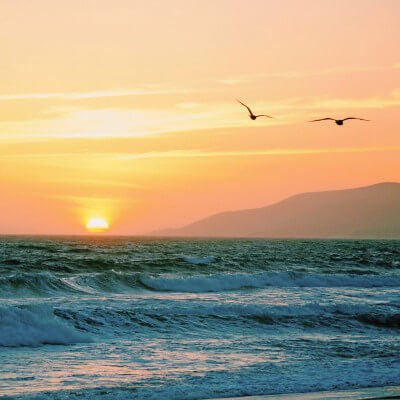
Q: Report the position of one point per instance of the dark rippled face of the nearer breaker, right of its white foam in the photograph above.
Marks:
(173, 316)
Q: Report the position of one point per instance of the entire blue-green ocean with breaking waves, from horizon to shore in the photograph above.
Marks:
(129, 318)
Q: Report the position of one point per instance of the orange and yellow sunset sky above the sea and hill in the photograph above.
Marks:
(125, 110)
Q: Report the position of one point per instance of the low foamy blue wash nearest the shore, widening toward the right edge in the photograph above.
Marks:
(361, 378)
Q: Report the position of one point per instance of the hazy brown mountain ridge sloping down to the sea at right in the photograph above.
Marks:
(371, 211)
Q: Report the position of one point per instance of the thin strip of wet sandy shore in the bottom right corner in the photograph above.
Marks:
(371, 393)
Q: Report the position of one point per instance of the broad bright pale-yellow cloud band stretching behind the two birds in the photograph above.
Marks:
(188, 116)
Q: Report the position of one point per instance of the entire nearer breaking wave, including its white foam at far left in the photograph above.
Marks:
(41, 324)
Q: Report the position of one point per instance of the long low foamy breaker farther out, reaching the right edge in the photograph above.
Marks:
(227, 282)
